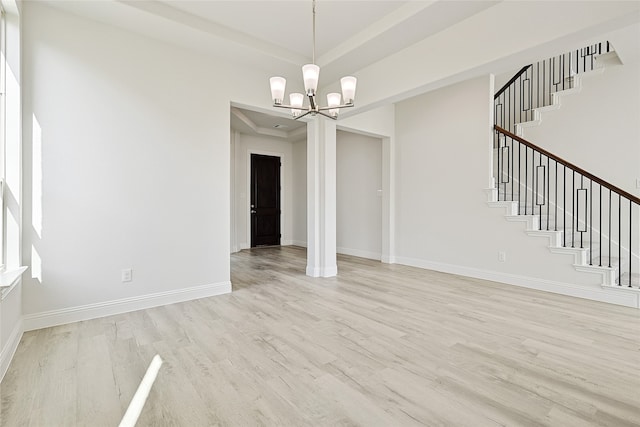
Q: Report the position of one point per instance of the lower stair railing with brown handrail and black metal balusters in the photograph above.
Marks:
(592, 213)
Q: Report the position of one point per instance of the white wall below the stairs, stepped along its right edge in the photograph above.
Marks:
(443, 161)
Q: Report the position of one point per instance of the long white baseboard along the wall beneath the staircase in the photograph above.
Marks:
(627, 299)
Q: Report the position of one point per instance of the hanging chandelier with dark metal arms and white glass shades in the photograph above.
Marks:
(310, 75)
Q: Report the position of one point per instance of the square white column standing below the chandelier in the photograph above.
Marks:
(321, 198)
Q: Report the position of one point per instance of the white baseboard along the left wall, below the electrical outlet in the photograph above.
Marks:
(125, 305)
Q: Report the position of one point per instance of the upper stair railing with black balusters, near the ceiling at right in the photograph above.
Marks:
(532, 87)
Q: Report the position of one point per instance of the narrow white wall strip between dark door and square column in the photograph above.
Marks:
(299, 173)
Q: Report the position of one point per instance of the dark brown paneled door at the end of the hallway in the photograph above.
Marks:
(265, 200)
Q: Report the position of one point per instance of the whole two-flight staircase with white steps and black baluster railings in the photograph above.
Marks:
(579, 213)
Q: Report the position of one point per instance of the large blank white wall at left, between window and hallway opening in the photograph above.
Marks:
(135, 167)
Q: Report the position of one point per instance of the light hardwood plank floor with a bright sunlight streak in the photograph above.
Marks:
(379, 345)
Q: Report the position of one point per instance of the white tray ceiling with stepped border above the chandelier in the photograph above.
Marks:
(269, 34)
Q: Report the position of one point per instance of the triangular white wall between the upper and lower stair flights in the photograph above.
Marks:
(597, 129)
